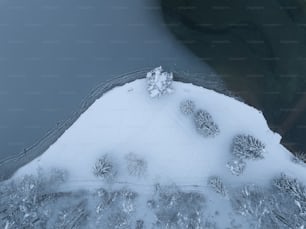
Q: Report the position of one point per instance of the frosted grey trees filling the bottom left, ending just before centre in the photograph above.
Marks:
(35, 202)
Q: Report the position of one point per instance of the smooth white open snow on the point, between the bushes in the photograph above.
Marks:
(126, 120)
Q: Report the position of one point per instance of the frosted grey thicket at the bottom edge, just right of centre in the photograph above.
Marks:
(174, 208)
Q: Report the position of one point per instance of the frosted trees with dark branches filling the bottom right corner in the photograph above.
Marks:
(280, 205)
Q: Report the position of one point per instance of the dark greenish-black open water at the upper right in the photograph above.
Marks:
(259, 50)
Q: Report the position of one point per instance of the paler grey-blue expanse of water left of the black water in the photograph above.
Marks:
(53, 53)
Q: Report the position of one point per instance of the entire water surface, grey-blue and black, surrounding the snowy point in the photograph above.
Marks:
(53, 53)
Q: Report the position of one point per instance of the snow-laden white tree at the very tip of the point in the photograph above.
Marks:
(159, 82)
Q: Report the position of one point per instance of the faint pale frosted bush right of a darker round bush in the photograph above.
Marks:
(136, 165)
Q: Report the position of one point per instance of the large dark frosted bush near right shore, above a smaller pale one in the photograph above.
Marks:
(247, 147)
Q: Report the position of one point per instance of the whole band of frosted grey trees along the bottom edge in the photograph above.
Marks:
(35, 202)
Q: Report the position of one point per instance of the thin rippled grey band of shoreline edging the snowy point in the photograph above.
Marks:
(11, 164)
